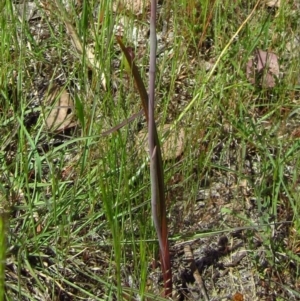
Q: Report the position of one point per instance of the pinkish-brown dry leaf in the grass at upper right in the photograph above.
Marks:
(263, 69)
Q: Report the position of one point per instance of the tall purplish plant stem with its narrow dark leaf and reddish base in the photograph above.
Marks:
(157, 173)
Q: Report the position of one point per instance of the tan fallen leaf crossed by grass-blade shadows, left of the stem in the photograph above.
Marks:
(61, 112)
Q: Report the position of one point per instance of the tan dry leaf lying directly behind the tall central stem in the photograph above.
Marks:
(172, 147)
